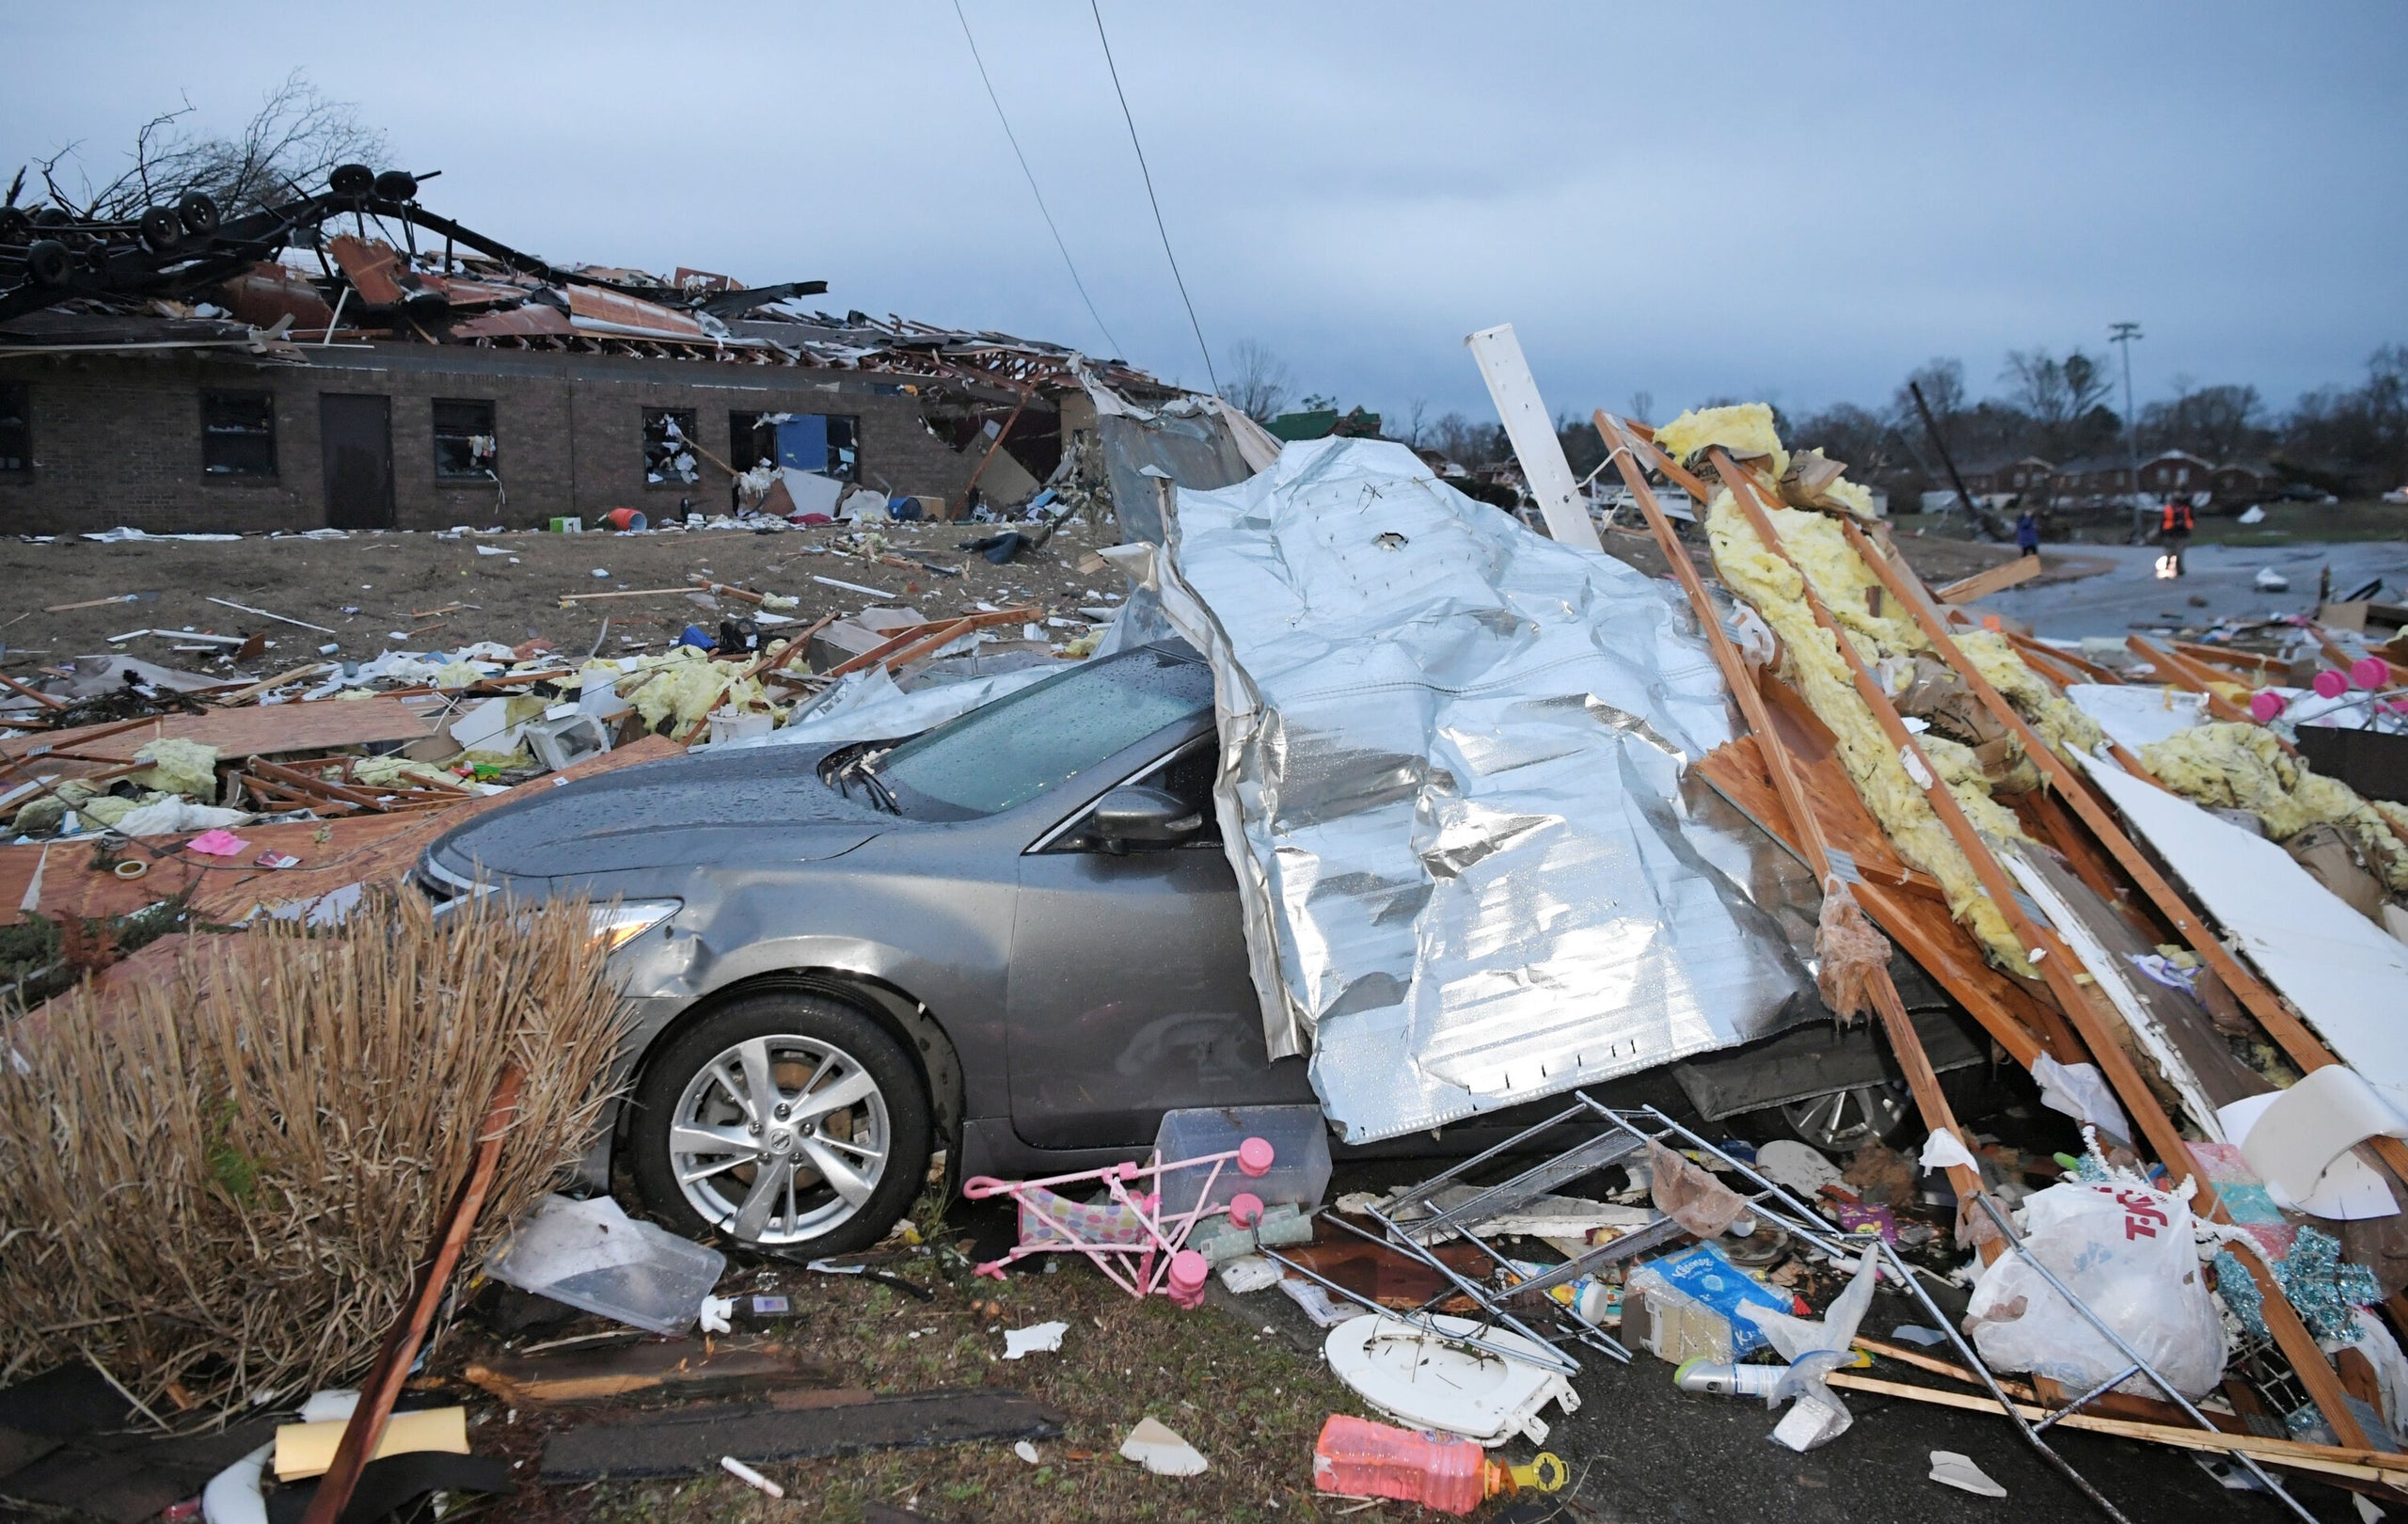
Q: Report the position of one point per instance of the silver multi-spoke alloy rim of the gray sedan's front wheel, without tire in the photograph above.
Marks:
(781, 1140)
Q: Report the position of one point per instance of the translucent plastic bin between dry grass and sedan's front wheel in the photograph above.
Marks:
(594, 1256)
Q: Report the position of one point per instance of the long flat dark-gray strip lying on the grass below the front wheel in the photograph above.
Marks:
(692, 1441)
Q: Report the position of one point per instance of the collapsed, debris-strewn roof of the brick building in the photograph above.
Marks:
(187, 278)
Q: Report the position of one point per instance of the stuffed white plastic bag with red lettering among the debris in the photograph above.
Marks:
(2132, 1256)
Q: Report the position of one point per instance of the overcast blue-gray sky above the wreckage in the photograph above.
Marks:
(1769, 201)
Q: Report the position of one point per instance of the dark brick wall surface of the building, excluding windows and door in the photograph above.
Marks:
(117, 439)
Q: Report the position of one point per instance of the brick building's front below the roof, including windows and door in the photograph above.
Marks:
(396, 437)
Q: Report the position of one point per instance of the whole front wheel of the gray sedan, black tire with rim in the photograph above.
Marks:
(692, 1126)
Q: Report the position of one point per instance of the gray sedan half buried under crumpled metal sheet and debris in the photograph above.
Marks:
(1015, 935)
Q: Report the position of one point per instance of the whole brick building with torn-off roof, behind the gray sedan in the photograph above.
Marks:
(278, 374)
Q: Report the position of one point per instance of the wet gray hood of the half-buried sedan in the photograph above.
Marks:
(683, 810)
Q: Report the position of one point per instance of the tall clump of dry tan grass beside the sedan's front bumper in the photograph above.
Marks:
(218, 1186)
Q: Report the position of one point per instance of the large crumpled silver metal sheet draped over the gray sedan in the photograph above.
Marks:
(1451, 788)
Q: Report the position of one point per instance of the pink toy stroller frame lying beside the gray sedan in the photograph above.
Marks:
(1128, 1236)
